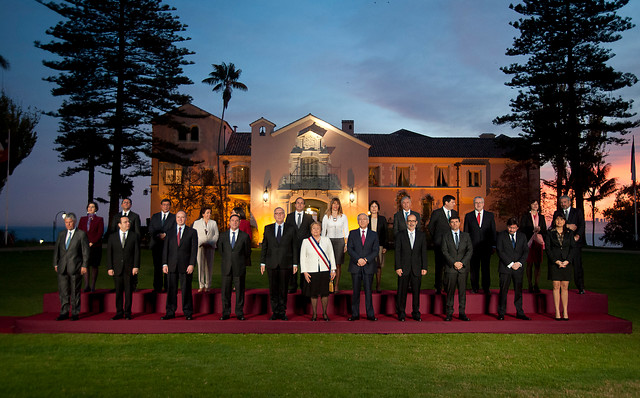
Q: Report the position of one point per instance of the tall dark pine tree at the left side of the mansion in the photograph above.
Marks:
(119, 67)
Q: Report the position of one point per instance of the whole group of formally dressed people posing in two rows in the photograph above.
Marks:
(318, 249)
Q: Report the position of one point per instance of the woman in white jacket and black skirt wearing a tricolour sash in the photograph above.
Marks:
(318, 265)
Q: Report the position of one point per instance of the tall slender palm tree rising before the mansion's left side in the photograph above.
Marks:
(224, 77)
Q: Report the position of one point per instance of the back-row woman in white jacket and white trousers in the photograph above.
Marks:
(207, 238)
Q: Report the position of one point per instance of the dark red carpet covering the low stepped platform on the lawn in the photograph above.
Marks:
(588, 313)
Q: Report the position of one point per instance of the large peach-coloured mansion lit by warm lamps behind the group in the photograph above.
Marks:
(269, 167)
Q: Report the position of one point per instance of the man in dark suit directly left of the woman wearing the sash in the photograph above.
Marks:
(279, 255)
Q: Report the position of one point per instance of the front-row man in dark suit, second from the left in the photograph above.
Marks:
(123, 262)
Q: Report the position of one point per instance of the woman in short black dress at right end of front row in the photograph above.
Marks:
(560, 247)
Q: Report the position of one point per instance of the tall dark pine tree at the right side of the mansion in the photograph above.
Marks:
(565, 104)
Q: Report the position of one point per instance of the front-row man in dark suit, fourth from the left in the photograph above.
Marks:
(235, 252)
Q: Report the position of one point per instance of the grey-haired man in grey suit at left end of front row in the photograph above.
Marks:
(70, 260)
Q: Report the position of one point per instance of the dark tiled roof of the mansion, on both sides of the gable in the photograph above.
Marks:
(403, 143)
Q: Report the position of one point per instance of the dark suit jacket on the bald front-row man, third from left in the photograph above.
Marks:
(179, 257)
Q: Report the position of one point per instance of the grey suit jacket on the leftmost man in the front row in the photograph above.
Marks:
(73, 258)
